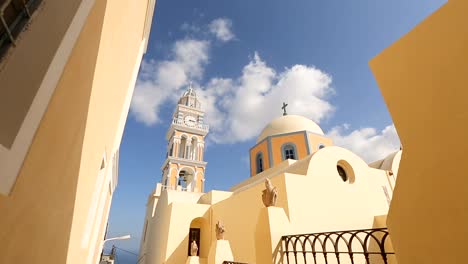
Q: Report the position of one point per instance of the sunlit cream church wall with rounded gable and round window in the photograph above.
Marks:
(348, 205)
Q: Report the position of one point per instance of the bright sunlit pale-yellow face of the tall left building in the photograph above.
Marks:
(116, 71)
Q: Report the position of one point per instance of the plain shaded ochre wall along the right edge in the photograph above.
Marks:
(423, 79)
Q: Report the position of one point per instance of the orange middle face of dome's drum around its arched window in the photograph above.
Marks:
(298, 139)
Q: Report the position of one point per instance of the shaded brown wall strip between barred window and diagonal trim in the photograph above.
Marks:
(23, 69)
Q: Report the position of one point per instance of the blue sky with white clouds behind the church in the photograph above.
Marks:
(245, 58)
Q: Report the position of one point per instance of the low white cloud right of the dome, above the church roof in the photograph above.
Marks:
(368, 143)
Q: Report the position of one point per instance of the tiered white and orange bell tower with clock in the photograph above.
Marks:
(184, 168)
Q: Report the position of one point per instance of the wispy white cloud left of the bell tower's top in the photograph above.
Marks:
(163, 81)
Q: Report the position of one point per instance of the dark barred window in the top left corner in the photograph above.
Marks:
(13, 18)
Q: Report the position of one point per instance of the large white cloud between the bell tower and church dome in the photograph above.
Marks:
(237, 110)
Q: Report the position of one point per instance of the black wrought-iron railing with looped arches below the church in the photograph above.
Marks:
(367, 246)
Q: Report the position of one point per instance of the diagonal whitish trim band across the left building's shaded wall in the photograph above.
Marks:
(12, 160)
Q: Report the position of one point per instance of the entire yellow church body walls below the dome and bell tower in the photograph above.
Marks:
(312, 197)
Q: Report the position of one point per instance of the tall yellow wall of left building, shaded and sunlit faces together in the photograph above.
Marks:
(47, 210)
